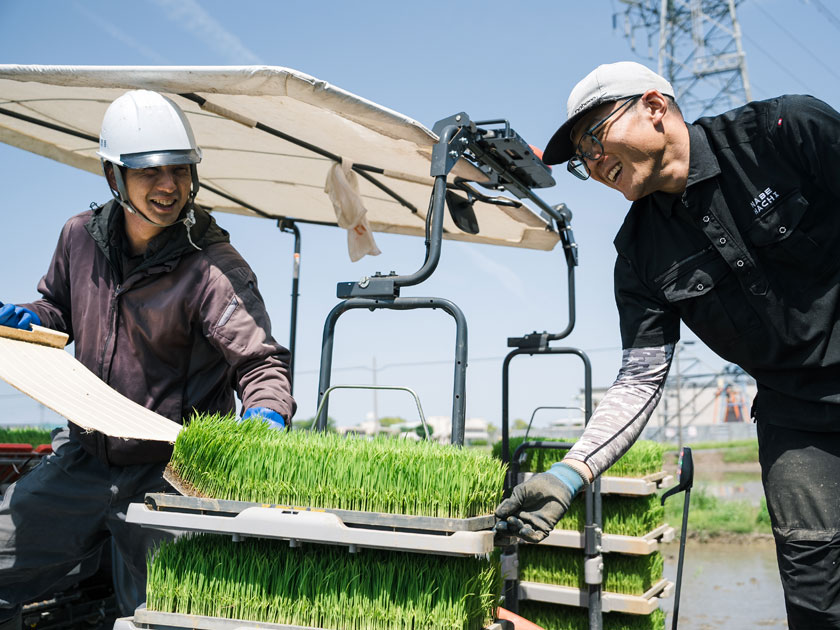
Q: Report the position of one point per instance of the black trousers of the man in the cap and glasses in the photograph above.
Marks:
(801, 475)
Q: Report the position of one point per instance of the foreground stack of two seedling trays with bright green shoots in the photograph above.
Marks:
(277, 516)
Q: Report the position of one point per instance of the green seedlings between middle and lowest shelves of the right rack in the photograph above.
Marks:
(631, 575)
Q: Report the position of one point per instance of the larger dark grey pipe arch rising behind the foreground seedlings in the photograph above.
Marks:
(401, 304)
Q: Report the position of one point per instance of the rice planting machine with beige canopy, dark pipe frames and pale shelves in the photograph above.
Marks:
(476, 176)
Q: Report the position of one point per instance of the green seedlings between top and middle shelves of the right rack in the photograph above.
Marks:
(624, 516)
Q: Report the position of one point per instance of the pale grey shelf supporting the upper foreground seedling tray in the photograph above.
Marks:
(311, 526)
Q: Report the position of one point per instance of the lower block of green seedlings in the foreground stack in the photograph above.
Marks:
(321, 586)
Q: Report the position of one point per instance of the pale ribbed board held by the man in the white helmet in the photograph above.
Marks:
(35, 363)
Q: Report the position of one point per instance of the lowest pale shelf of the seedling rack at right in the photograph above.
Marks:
(643, 604)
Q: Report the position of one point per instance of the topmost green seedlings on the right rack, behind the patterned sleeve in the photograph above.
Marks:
(643, 458)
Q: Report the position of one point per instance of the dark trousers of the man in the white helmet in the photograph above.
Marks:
(62, 512)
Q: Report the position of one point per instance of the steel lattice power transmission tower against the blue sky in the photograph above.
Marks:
(697, 44)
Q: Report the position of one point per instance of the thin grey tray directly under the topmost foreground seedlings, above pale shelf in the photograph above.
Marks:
(352, 518)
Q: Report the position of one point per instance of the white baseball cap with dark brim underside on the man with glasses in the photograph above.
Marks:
(605, 84)
